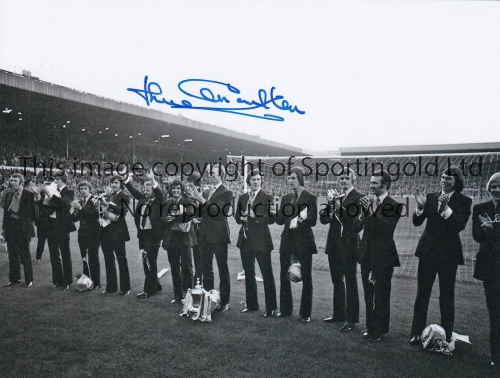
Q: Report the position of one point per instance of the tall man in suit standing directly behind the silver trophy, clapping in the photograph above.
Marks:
(214, 208)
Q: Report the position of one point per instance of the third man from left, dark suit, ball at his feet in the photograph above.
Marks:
(87, 213)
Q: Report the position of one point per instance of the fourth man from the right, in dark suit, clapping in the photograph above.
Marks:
(342, 248)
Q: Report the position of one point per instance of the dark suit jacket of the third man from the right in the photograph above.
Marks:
(378, 236)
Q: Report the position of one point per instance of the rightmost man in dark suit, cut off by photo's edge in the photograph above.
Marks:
(486, 231)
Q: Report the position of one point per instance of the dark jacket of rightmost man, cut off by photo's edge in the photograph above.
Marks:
(488, 258)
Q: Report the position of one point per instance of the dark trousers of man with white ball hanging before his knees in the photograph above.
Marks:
(286, 300)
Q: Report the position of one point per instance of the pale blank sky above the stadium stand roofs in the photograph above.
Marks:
(365, 73)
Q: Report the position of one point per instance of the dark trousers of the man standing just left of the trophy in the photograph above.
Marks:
(181, 263)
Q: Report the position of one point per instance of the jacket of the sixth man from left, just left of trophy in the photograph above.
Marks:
(187, 238)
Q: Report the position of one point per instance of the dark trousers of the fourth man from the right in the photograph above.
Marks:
(345, 289)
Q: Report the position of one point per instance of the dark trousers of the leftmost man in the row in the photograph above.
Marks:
(19, 253)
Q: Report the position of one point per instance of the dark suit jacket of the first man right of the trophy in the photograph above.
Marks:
(256, 229)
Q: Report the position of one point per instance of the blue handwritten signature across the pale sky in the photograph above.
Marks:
(152, 93)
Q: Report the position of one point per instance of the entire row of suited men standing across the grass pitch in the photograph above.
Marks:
(348, 213)
